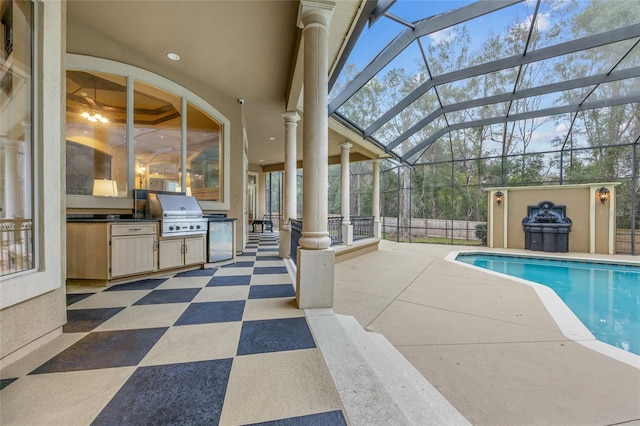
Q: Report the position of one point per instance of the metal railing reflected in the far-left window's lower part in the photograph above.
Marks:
(16, 245)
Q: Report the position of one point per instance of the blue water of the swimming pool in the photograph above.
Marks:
(605, 297)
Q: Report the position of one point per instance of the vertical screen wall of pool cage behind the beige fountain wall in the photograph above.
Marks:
(446, 202)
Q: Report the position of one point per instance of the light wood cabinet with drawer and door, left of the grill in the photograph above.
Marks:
(102, 251)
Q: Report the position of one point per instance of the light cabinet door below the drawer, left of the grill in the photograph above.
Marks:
(132, 255)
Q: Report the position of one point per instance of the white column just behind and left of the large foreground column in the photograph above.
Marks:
(290, 124)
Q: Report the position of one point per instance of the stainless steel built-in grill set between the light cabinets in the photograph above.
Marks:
(179, 215)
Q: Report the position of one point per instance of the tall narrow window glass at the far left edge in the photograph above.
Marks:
(16, 145)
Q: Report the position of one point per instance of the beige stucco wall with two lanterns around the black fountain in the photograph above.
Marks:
(593, 223)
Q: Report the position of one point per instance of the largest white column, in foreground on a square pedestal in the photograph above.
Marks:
(315, 258)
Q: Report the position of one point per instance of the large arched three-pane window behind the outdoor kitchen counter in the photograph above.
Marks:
(168, 139)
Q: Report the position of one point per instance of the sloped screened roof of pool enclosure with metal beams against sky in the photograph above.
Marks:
(423, 70)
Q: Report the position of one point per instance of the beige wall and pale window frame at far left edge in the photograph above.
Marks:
(33, 304)
